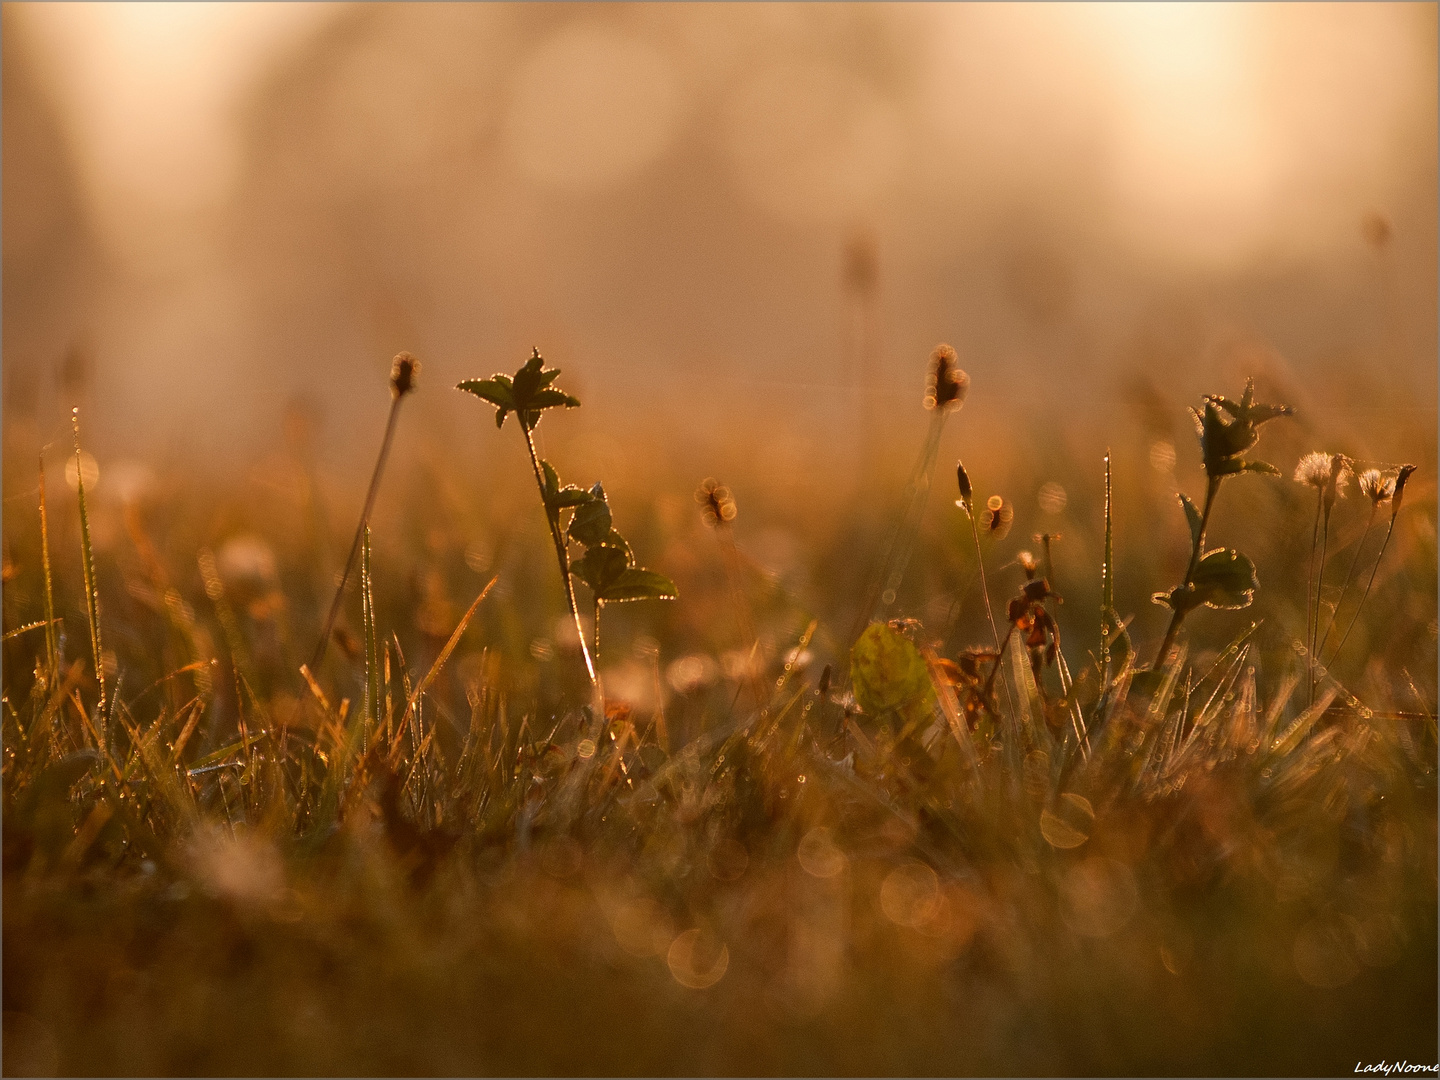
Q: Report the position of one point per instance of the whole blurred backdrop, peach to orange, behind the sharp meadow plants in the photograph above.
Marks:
(739, 231)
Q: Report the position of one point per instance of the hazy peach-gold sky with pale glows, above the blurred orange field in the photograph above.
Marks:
(675, 185)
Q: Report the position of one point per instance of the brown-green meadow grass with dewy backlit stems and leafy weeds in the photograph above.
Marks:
(459, 845)
